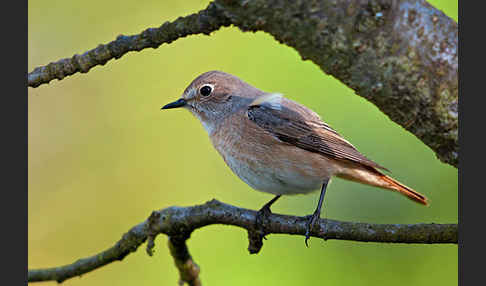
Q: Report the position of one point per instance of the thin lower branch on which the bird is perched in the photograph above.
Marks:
(179, 222)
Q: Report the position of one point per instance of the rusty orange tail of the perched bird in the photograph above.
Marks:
(371, 176)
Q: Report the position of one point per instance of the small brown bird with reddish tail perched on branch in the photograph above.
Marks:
(276, 145)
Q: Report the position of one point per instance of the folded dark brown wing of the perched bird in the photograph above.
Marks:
(299, 126)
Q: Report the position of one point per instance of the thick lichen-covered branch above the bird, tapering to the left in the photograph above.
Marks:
(401, 55)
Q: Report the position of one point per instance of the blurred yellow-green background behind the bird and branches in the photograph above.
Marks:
(102, 156)
